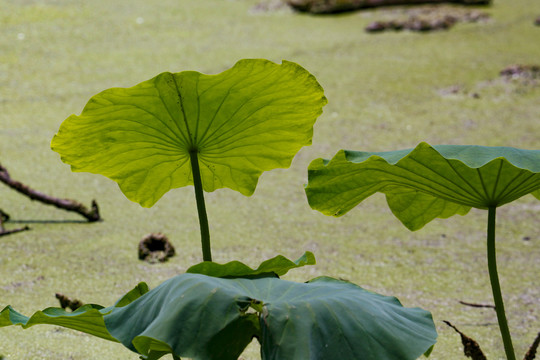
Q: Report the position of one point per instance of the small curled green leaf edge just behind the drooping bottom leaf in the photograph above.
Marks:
(278, 265)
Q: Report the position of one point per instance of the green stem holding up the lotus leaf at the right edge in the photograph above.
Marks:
(496, 287)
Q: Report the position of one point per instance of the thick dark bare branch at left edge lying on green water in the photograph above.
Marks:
(91, 214)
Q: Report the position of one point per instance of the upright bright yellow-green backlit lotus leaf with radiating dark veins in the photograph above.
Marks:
(248, 119)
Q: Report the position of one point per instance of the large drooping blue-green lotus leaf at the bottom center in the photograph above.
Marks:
(202, 317)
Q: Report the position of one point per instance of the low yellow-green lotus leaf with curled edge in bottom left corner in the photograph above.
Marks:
(88, 318)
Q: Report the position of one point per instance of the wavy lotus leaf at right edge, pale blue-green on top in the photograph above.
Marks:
(426, 182)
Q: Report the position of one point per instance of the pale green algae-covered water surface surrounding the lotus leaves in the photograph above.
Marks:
(473, 83)
